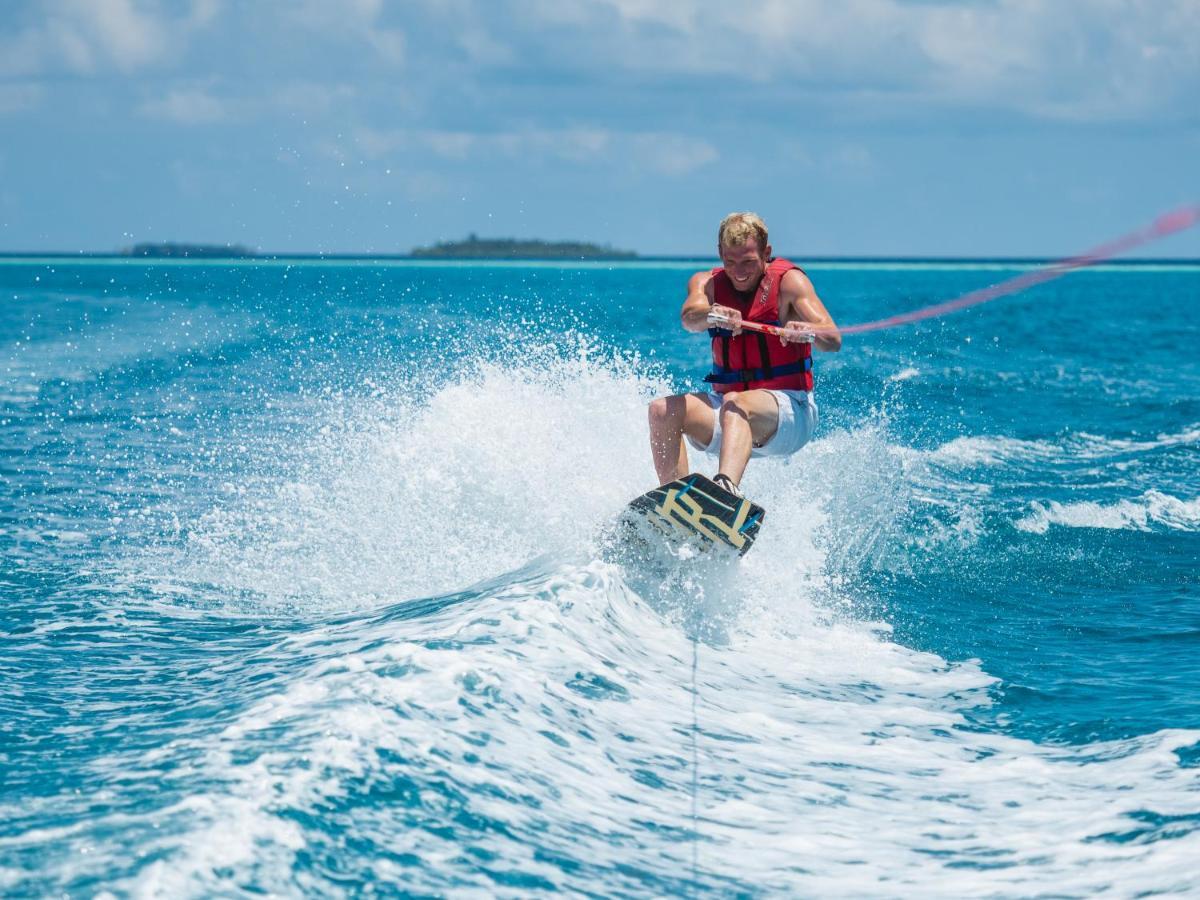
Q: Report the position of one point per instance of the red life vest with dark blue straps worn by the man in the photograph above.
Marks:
(753, 361)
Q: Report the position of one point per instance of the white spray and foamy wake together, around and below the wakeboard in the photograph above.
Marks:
(568, 723)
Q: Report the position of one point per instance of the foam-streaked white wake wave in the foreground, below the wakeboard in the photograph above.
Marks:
(557, 733)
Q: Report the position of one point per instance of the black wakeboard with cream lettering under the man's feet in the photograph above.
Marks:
(698, 511)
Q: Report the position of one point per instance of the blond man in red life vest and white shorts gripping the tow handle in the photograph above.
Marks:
(761, 400)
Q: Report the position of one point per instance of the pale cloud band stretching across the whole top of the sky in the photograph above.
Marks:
(1067, 61)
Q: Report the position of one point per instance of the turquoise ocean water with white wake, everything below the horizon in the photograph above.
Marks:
(303, 592)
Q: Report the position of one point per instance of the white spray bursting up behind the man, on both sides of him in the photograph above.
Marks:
(411, 491)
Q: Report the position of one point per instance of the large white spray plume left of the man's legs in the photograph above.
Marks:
(401, 494)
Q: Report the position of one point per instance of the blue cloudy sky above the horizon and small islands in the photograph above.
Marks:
(859, 128)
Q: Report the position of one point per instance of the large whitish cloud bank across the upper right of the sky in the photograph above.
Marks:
(1078, 61)
